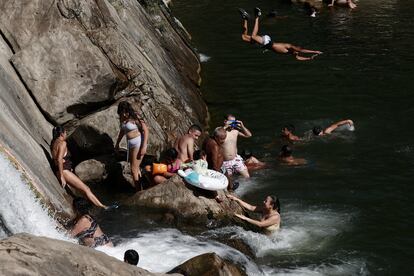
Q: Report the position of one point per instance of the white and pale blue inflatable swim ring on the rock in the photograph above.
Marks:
(213, 181)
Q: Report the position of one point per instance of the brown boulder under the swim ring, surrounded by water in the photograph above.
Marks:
(186, 202)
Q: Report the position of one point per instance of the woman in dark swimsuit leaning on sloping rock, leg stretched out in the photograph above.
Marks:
(63, 164)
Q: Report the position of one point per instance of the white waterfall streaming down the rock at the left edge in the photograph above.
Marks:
(19, 209)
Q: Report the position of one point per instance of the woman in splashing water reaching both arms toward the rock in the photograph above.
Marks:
(270, 213)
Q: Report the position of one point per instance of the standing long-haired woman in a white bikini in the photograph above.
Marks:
(136, 132)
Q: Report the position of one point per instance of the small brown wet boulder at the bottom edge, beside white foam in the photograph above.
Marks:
(207, 264)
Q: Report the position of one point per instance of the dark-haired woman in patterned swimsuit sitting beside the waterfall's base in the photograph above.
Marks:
(86, 229)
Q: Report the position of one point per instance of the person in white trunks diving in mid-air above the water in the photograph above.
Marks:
(267, 42)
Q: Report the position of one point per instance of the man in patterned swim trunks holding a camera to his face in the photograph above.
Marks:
(233, 163)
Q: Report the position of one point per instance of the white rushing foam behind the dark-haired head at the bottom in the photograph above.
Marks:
(162, 250)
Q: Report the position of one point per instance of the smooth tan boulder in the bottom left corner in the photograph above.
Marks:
(24, 254)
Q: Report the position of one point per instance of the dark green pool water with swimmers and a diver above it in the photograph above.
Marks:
(352, 204)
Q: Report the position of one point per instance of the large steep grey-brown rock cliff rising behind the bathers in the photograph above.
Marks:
(71, 61)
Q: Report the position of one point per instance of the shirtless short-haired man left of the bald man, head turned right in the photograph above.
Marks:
(185, 144)
